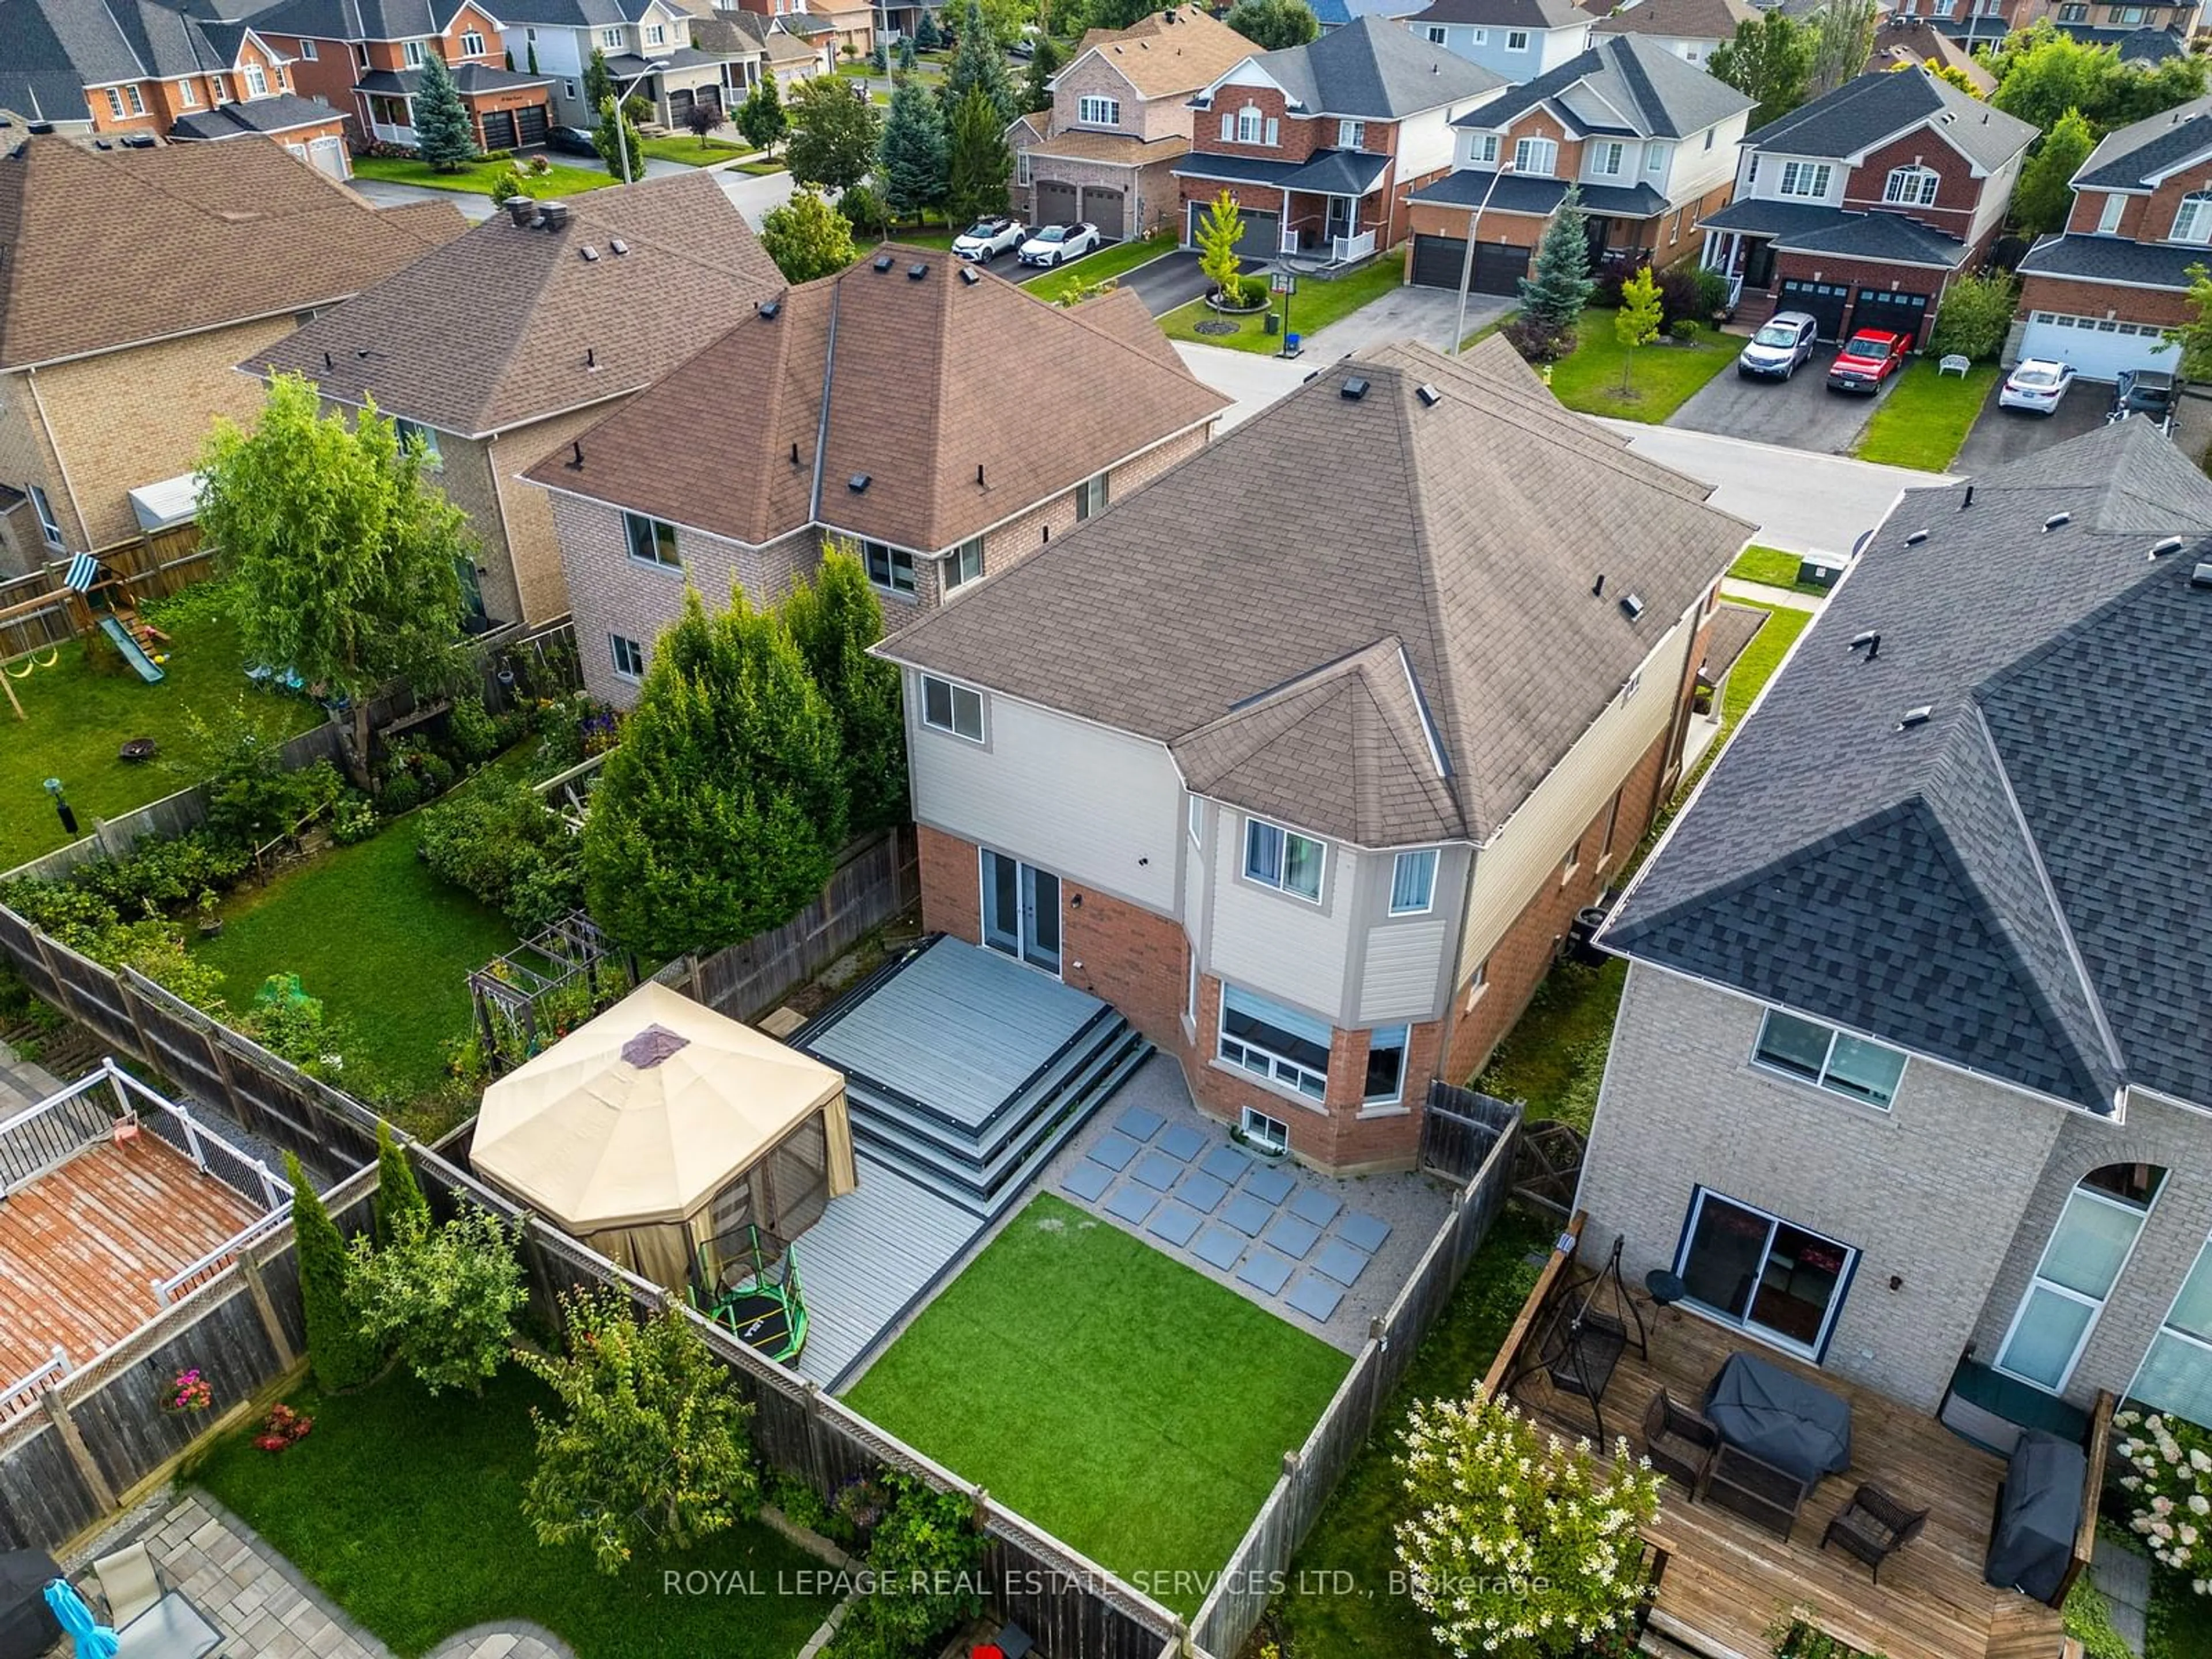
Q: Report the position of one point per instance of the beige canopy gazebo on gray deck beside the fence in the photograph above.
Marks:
(660, 1129)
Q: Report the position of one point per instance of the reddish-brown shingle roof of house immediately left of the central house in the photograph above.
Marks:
(930, 379)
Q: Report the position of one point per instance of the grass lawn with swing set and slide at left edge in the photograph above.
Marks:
(76, 720)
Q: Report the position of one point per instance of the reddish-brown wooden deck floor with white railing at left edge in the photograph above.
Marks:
(81, 1246)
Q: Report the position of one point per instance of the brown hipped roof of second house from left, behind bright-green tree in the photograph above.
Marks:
(514, 324)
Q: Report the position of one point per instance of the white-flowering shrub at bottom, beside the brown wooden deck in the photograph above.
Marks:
(1521, 1543)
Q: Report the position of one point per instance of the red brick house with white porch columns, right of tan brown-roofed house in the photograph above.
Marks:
(1319, 145)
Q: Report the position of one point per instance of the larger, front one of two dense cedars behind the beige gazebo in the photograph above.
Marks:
(724, 808)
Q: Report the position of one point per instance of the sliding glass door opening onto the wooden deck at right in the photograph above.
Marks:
(1762, 1273)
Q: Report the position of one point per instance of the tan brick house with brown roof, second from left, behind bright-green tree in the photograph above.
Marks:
(519, 335)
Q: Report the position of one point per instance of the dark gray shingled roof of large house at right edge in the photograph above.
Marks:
(2018, 884)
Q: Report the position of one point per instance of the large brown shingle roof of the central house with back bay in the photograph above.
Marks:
(1297, 607)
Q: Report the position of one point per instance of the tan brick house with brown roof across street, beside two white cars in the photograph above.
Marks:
(1120, 121)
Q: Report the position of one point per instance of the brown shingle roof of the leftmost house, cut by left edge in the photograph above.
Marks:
(107, 251)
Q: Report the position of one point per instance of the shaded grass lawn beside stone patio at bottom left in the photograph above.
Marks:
(408, 1512)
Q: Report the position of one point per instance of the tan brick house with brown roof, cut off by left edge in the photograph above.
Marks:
(116, 351)
